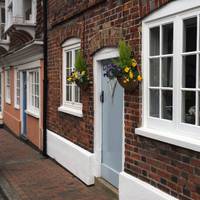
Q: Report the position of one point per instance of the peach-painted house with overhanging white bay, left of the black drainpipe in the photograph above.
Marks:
(21, 61)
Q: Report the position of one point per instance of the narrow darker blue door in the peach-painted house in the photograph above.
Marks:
(24, 102)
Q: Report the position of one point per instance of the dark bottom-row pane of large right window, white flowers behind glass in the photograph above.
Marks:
(188, 107)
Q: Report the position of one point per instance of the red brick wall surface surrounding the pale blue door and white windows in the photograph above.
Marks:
(172, 169)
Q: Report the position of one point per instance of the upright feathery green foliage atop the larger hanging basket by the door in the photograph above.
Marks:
(125, 58)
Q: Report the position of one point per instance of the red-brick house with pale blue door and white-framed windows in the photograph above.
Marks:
(154, 153)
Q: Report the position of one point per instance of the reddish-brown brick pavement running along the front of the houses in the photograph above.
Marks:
(27, 175)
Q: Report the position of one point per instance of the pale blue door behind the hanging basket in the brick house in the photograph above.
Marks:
(112, 129)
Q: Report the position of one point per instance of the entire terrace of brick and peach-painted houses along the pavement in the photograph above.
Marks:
(143, 141)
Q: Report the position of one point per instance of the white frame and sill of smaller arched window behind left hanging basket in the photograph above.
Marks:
(70, 107)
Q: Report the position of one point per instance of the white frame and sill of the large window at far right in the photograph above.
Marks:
(175, 131)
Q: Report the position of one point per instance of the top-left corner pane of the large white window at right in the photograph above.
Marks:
(155, 41)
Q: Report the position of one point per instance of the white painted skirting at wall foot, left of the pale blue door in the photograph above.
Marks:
(74, 158)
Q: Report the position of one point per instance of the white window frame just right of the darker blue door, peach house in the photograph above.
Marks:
(32, 109)
